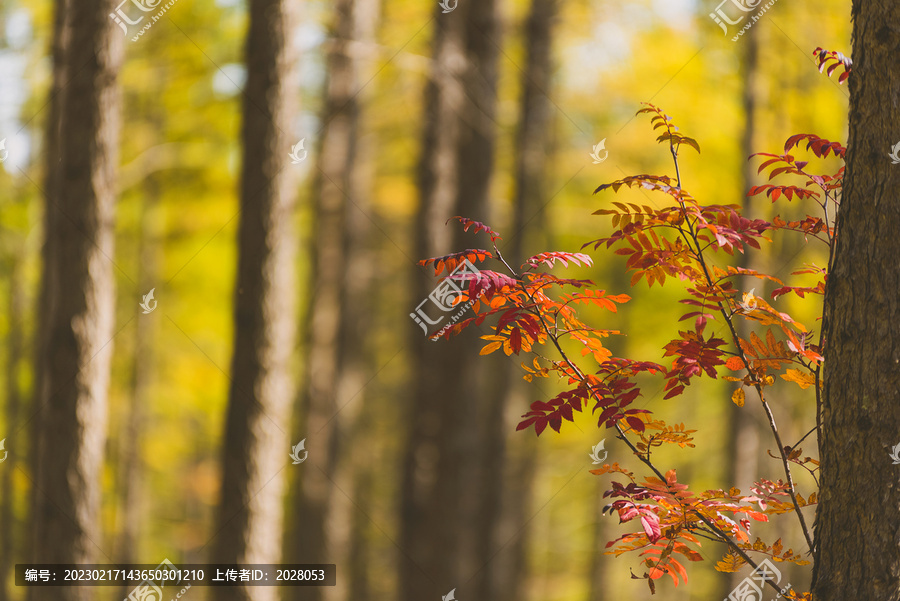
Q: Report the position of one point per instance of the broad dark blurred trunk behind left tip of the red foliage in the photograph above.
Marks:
(439, 469)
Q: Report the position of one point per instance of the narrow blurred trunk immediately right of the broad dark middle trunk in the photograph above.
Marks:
(508, 473)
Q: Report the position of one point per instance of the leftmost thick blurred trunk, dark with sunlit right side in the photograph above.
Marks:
(78, 326)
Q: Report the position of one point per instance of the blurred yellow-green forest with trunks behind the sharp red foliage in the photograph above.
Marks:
(285, 289)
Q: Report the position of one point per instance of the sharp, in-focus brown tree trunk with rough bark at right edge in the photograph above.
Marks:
(858, 516)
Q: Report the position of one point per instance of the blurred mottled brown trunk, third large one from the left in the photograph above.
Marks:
(337, 319)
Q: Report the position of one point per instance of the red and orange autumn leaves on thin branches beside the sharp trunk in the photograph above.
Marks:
(531, 309)
